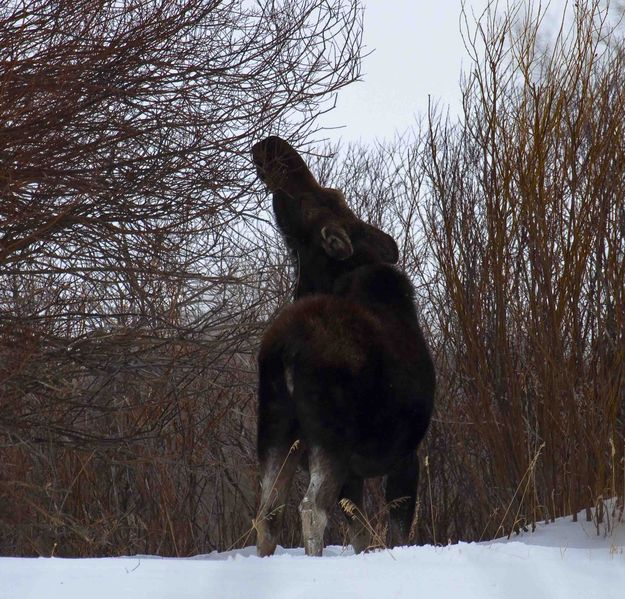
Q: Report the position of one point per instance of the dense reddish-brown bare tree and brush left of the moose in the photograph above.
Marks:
(131, 271)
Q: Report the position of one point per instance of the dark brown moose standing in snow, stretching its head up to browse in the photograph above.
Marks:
(346, 380)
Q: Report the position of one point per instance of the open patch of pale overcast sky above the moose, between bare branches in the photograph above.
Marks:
(417, 50)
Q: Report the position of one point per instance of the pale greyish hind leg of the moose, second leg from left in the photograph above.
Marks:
(326, 479)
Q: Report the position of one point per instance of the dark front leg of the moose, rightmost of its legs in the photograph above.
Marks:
(401, 496)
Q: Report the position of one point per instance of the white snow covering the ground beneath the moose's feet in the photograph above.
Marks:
(562, 560)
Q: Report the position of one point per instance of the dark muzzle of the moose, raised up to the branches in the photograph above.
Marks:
(280, 167)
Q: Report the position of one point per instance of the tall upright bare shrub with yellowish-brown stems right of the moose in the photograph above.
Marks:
(525, 218)
